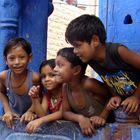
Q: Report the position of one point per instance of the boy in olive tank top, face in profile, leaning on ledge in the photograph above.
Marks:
(84, 98)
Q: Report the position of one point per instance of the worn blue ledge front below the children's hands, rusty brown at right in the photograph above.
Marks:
(65, 130)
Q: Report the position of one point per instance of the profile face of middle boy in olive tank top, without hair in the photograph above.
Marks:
(63, 69)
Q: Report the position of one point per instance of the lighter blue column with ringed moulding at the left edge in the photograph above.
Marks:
(9, 15)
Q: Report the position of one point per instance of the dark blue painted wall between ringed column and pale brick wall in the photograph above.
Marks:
(33, 26)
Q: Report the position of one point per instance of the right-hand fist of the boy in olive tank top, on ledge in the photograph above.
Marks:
(97, 121)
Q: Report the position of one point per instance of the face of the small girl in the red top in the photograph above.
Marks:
(48, 78)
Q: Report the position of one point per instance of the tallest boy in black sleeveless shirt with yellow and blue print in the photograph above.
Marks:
(117, 65)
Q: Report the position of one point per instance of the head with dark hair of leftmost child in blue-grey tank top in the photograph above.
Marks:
(17, 54)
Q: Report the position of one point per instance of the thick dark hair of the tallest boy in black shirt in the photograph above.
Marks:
(83, 28)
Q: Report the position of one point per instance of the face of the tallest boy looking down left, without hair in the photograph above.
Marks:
(84, 51)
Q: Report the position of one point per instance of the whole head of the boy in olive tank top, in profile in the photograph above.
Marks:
(68, 65)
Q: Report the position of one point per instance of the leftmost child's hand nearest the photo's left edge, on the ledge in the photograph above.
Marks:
(8, 118)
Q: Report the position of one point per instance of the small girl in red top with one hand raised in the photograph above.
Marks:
(52, 99)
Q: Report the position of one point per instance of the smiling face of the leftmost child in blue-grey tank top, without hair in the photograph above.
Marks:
(17, 59)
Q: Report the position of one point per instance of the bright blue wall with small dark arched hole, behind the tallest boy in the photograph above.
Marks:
(116, 15)
